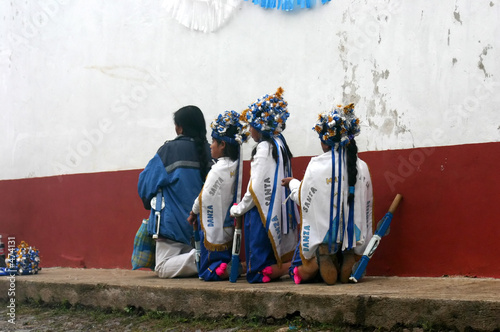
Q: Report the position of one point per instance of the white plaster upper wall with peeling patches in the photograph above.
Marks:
(90, 86)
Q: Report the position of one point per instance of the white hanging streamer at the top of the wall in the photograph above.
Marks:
(201, 15)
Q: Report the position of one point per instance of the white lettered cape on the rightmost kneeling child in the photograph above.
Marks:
(315, 201)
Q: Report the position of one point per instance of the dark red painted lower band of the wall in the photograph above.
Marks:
(447, 223)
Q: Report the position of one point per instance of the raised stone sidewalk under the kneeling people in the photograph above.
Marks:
(379, 302)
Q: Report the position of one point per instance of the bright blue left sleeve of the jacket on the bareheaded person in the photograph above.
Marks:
(153, 177)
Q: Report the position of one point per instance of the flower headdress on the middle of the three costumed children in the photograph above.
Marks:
(268, 114)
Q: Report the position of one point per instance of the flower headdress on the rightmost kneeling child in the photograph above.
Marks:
(338, 126)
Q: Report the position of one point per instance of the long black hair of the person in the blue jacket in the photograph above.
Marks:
(192, 121)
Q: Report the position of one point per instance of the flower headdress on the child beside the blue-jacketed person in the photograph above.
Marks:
(223, 122)
